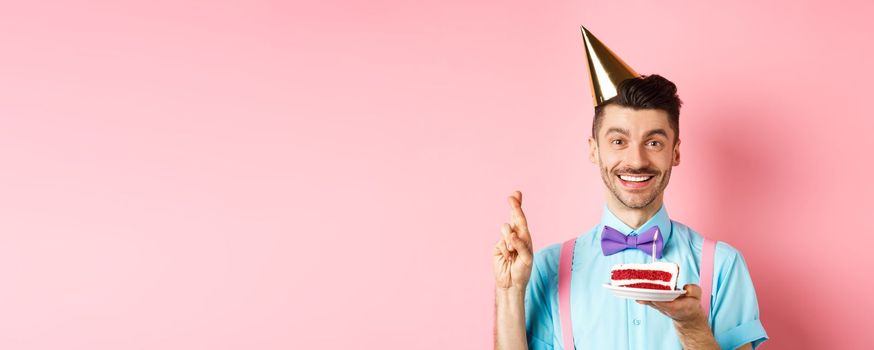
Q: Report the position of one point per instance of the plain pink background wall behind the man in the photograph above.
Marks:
(259, 175)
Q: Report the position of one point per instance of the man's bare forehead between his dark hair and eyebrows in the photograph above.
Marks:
(637, 122)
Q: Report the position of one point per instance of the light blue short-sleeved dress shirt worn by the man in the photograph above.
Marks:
(604, 321)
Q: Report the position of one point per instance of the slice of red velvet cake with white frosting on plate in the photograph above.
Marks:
(657, 275)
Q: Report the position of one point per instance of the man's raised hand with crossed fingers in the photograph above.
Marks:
(512, 256)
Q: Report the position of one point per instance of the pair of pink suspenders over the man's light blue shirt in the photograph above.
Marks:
(565, 260)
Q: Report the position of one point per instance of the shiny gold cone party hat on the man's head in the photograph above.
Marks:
(605, 68)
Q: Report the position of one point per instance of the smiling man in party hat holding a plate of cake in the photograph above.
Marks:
(635, 143)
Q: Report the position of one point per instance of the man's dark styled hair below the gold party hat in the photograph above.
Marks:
(644, 92)
